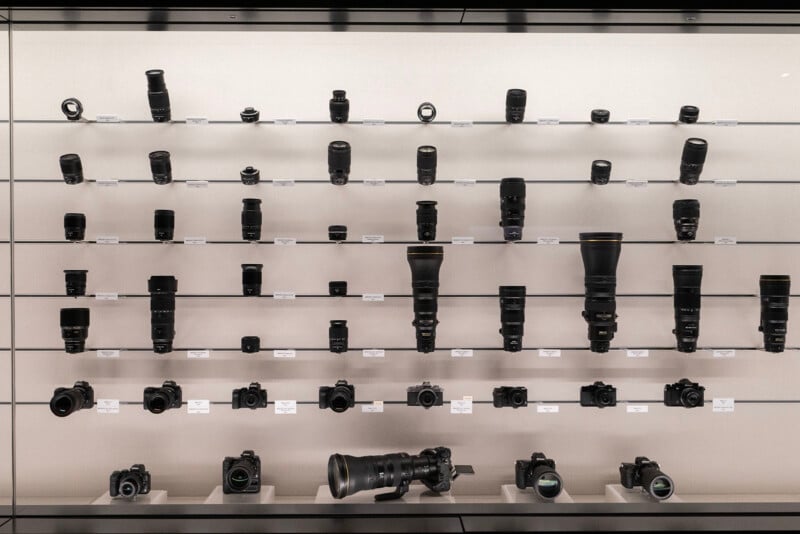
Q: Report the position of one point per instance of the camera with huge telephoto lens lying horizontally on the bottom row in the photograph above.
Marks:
(350, 474)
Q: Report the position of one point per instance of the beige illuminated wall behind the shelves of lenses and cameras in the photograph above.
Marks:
(290, 75)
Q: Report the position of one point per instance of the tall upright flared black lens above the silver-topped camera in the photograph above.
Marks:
(425, 262)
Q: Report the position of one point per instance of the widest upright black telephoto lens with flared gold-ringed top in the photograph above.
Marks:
(600, 252)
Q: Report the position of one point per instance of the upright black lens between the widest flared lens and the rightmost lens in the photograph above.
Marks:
(687, 305)
